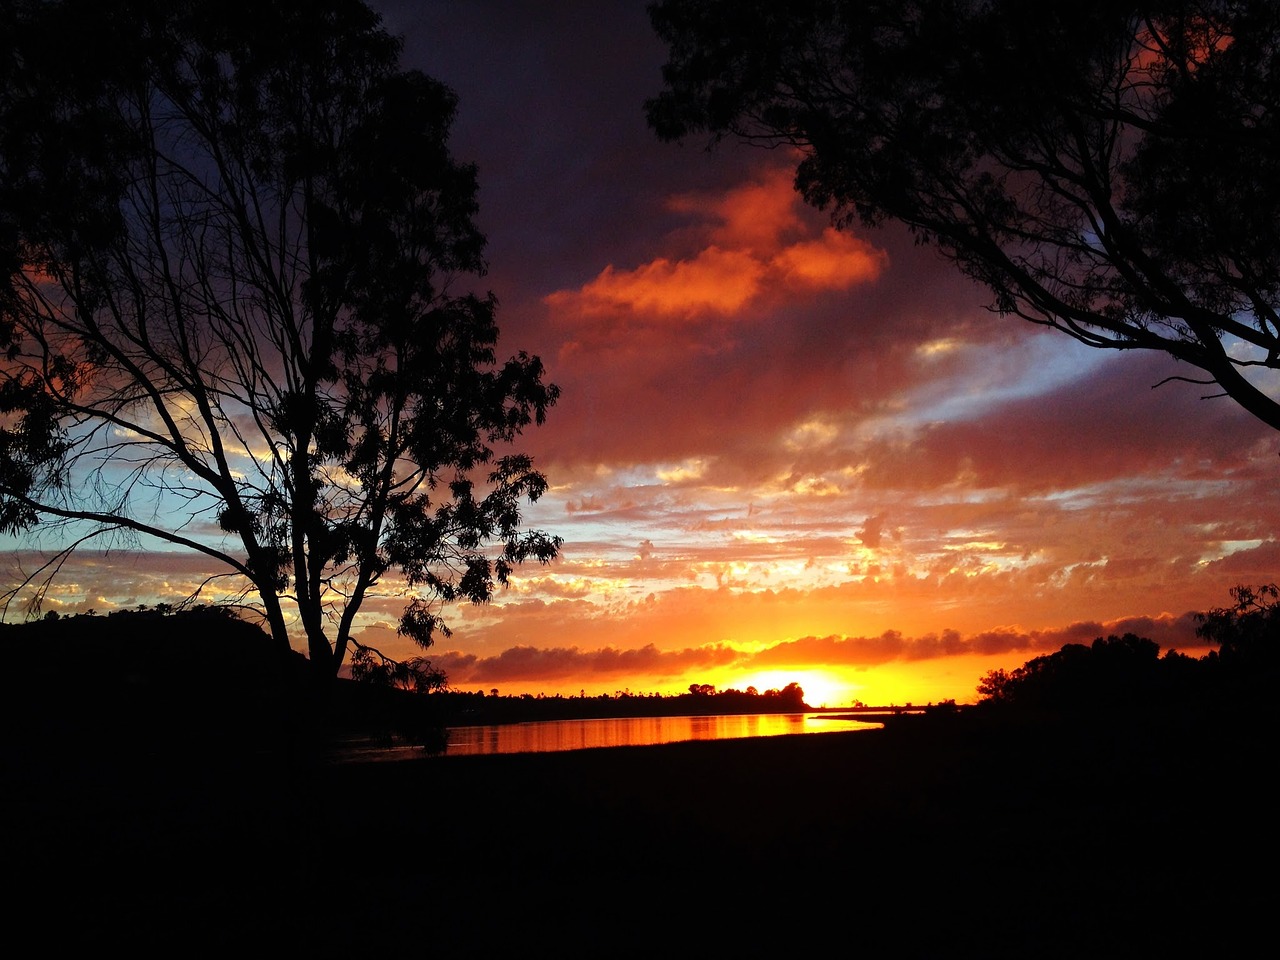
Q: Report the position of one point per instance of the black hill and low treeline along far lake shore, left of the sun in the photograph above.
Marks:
(203, 678)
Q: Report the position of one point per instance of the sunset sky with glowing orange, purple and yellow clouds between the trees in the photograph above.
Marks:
(784, 454)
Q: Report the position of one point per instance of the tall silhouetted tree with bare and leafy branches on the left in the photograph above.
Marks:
(234, 240)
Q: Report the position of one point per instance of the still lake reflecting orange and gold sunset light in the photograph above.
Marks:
(548, 737)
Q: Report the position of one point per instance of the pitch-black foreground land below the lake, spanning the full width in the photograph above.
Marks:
(947, 836)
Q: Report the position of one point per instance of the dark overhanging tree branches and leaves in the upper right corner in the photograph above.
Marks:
(1108, 170)
